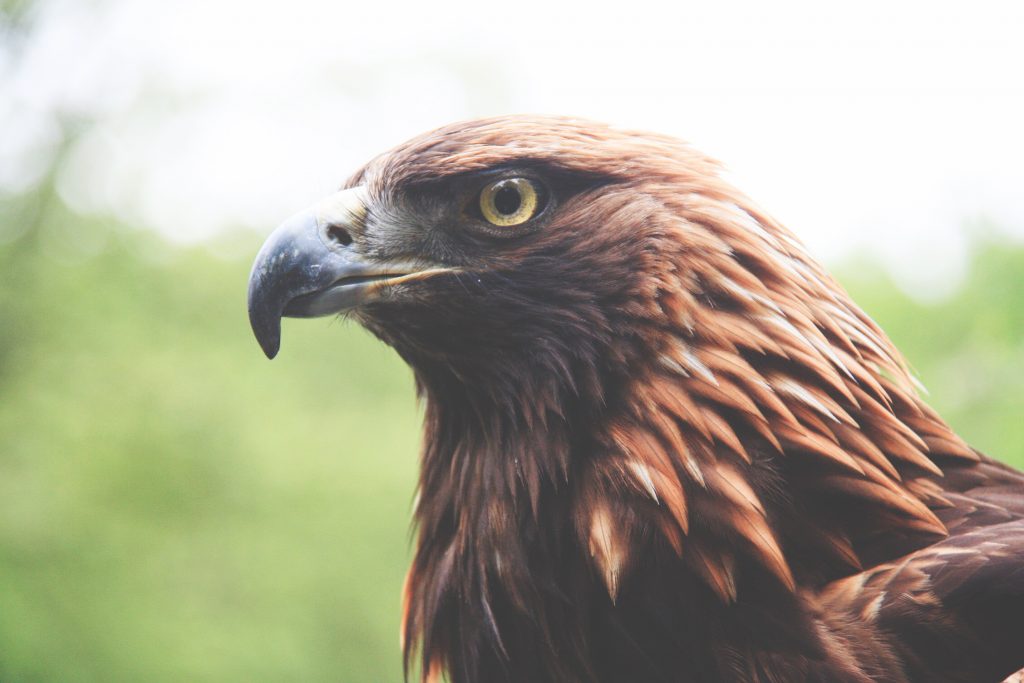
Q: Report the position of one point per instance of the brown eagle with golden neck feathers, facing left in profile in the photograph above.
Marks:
(661, 443)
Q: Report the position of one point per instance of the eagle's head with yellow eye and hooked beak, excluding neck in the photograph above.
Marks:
(505, 249)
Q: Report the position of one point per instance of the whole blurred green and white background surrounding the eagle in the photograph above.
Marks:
(176, 508)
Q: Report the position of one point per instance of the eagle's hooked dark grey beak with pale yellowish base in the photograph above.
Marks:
(311, 267)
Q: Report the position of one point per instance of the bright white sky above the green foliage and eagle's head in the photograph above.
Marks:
(885, 126)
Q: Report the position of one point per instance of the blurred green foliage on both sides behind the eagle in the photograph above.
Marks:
(176, 508)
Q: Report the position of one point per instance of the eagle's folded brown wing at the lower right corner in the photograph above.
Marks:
(952, 613)
